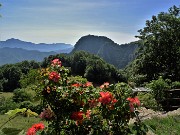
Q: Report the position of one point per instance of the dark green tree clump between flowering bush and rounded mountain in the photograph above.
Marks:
(89, 66)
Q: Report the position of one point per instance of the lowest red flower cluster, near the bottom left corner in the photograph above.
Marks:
(35, 128)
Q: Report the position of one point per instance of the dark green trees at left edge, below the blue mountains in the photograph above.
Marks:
(10, 74)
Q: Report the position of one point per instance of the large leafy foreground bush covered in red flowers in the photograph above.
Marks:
(76, 107)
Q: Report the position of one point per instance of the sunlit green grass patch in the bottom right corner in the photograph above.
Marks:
(165, 126)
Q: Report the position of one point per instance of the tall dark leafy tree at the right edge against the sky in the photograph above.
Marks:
(159, 53)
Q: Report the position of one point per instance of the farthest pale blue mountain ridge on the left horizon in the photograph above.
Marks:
(42, 47)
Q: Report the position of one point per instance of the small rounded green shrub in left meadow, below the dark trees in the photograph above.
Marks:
(21, 95)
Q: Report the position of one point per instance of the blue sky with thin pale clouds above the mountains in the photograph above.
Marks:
(66, 21)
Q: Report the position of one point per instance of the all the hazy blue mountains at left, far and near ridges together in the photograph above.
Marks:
(15, 50)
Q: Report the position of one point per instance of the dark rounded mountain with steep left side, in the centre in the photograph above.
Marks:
(111, 52)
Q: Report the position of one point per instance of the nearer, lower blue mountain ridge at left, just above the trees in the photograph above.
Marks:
(14, 55)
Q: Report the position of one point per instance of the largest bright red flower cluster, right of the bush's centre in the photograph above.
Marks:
(107, 98)
